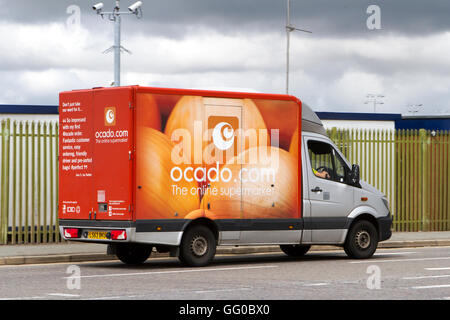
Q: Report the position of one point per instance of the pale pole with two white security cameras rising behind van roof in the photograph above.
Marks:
(115, 16)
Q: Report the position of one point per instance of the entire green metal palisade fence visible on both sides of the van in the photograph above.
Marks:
(412, 167)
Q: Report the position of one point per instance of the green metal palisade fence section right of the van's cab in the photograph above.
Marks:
(411, 167)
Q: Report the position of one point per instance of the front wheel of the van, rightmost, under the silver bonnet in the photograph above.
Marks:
(362, 240)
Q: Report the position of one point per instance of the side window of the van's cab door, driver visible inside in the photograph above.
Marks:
(326, 162)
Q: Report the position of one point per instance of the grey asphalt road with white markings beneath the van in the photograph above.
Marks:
(413, 273)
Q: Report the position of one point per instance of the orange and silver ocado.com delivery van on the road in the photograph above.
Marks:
(185, 171)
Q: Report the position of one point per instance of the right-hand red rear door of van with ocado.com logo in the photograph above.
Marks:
(112, 154)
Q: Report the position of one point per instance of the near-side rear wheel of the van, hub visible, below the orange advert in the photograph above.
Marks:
(198, 246)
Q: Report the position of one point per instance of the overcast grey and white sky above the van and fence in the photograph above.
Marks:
(236, 45)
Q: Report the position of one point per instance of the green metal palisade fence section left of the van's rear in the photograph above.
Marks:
(29, 182)
